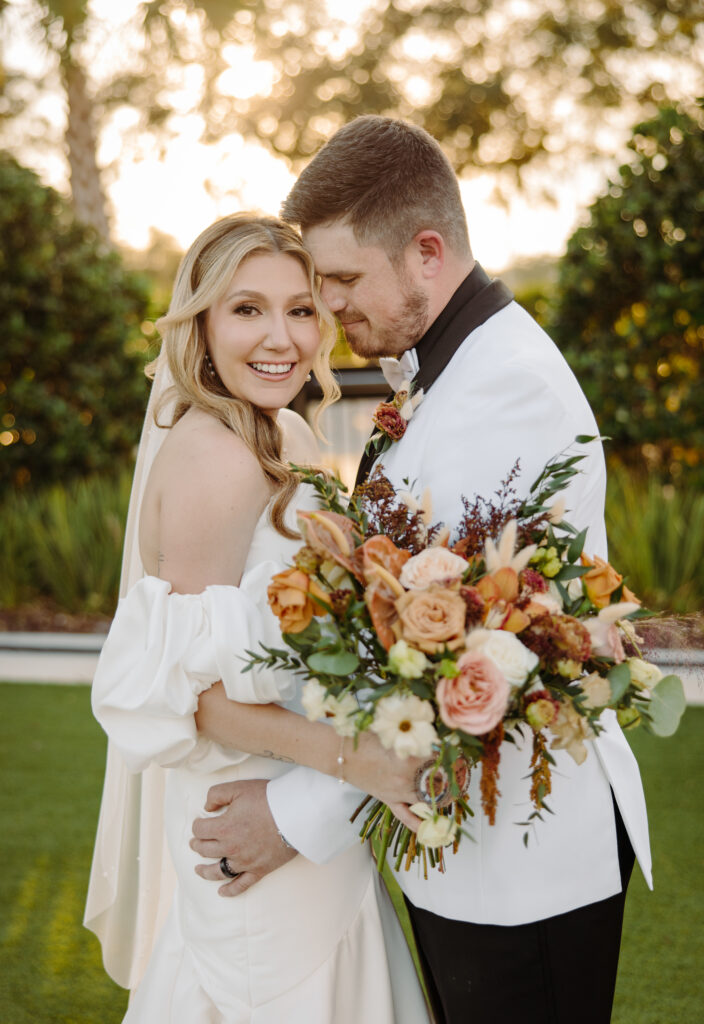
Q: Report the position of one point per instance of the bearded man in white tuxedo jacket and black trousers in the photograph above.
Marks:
(509, 932)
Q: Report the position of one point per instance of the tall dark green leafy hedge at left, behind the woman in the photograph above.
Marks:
(72, 389)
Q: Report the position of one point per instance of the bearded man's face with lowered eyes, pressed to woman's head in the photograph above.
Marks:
(382, 309)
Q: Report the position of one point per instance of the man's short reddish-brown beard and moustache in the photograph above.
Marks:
(394, 334)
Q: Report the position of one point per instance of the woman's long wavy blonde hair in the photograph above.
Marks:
(202, 280)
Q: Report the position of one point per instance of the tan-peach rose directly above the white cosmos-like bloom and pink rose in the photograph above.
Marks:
(431, 620)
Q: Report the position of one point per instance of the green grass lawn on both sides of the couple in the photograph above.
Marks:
(52, 757)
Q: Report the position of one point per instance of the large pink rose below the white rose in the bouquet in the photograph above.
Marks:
(476, 700)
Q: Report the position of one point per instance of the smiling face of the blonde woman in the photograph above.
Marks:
(265, 334)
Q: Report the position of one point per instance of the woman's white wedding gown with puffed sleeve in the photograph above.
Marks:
(309, 945)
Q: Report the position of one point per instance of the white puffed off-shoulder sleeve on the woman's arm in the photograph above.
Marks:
(164, 650)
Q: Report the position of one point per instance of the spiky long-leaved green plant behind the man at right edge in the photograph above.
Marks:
(656, 536)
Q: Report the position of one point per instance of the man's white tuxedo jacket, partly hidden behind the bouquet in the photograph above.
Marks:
(507, 394)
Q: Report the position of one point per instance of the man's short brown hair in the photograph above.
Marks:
(388, 180)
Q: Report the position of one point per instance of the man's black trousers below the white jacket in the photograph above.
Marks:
(558, 971)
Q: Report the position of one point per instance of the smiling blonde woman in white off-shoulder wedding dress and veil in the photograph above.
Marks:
(310, 945)
